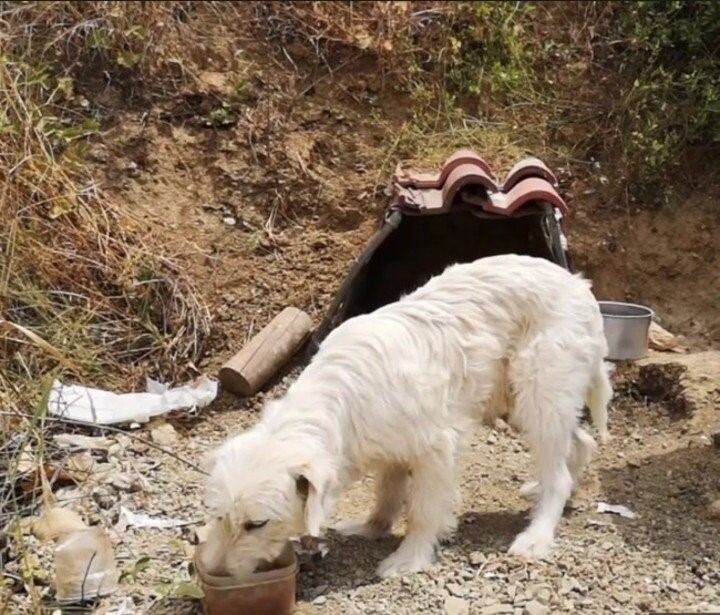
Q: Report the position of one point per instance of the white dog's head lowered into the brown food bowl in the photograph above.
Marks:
(260, 493)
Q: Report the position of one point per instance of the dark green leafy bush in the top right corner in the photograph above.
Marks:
(670, 60)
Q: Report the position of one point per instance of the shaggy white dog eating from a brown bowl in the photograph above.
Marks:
(392, 393)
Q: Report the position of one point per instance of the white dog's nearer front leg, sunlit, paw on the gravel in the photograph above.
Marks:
(431, 499)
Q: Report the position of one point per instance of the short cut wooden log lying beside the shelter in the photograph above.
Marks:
(251, 368)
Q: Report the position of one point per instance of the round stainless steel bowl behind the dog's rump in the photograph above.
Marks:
(626, 329)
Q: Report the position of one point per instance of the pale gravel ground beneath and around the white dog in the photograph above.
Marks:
(664, 469)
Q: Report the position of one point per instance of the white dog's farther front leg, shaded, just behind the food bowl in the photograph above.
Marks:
(390, 491)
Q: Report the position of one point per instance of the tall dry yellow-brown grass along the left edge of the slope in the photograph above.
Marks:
(81, 295)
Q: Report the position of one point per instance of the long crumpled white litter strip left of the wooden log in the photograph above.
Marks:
(106, 408)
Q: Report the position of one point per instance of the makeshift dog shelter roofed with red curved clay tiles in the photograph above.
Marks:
(457, 215)
